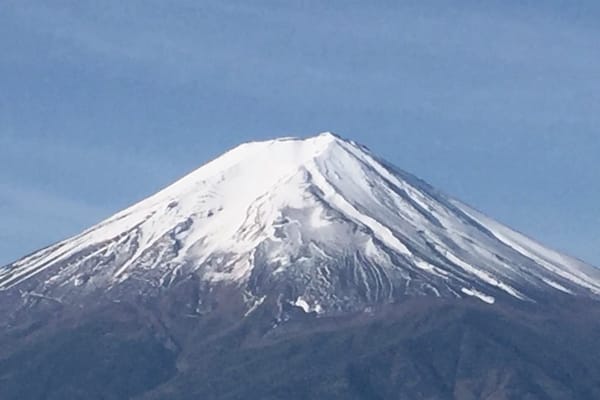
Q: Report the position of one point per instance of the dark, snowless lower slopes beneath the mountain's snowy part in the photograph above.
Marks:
(417, 349)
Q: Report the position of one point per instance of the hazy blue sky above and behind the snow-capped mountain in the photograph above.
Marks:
(495, 102)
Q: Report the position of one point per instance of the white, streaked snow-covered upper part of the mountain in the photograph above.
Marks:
(319, 223)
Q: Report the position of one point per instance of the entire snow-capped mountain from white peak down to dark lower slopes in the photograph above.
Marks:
(283, 253)
